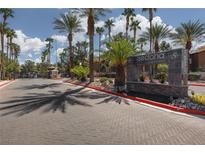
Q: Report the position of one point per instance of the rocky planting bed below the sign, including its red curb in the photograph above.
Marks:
(186, 105)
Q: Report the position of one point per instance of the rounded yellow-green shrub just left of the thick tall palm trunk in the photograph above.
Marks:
(80, 72)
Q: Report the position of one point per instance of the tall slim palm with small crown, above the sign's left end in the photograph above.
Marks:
(128, 13)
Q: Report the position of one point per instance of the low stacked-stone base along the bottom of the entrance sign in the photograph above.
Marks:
(158, 89)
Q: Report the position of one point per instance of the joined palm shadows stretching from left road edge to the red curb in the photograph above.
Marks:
(55, 101)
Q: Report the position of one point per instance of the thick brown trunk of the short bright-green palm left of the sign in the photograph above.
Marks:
(120, 78)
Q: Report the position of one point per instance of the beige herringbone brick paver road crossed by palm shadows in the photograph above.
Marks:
(41, 111)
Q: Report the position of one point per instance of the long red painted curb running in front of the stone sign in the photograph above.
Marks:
(146, 101)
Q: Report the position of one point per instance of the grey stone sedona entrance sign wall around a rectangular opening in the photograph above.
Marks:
(177, 73)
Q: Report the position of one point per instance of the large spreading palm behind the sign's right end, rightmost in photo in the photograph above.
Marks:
(187, 33)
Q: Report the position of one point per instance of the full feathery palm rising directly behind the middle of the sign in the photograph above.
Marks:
(159, 32)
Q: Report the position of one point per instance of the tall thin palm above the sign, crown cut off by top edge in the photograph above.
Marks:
(151, 12)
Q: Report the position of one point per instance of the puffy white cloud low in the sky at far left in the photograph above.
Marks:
(28, 43)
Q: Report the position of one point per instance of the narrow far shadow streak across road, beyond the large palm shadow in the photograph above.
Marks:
(39, 86)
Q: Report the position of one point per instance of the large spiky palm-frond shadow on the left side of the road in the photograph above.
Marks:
(54, 101)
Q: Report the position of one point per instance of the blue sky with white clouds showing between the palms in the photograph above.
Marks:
(33, 26)
